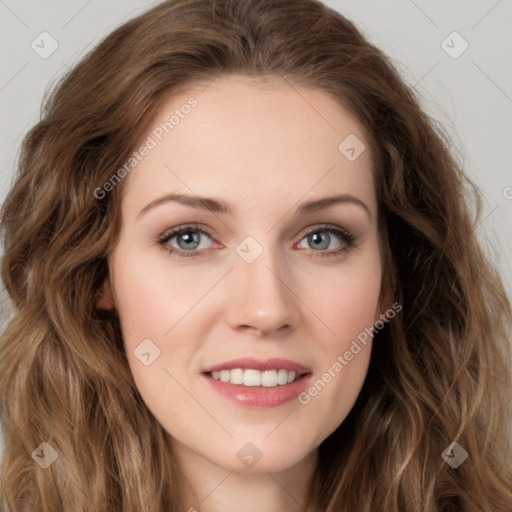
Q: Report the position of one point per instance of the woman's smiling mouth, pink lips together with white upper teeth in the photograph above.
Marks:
(258, 383)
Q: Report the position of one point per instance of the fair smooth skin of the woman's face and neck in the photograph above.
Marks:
(264, 148)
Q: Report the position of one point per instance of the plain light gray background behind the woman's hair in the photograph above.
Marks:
(470, 95)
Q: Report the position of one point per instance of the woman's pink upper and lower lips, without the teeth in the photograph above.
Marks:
(259, 396)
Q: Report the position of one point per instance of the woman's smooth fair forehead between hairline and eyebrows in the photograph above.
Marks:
(260, 139)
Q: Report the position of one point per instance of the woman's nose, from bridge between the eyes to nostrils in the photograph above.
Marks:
(262, 297)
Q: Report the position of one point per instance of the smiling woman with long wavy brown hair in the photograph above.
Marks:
(246, 277)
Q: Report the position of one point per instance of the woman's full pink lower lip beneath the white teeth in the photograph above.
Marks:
(259, 396)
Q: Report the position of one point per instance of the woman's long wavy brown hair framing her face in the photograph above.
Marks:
(439, 372)
